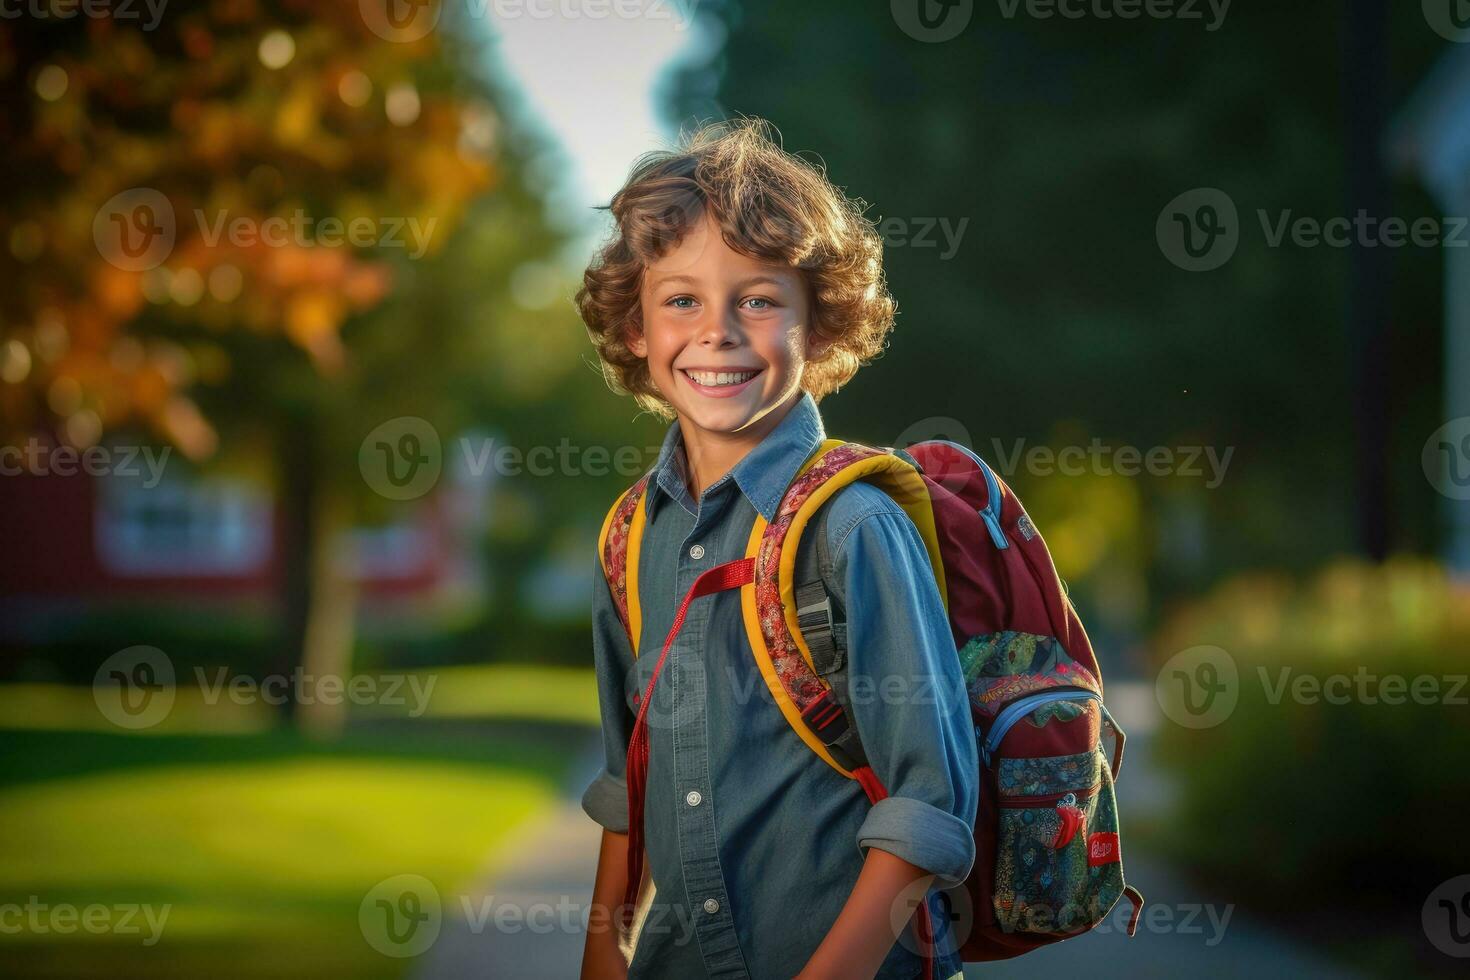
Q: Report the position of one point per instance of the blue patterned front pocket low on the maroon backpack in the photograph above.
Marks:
(1058, 865)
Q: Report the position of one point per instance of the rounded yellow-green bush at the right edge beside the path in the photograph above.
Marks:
(1330, 801)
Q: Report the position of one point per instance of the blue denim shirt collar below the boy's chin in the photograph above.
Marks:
(762, 475)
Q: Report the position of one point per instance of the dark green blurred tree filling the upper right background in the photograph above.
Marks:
(1053, 145)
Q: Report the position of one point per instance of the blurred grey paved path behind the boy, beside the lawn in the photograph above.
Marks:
(1183, 934)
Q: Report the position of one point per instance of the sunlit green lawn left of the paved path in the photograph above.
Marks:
(259, 849)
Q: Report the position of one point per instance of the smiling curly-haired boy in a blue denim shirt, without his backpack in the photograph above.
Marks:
(739, 290)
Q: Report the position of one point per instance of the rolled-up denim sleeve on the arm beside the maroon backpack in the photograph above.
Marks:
(908, 697)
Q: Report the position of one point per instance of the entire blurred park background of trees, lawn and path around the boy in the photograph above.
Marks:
(305, 449)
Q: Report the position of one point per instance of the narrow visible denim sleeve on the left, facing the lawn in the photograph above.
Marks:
(606, 797)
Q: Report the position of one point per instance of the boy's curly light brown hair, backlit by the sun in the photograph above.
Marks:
(770, 205)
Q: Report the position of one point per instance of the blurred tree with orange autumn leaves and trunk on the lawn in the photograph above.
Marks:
(217, 228)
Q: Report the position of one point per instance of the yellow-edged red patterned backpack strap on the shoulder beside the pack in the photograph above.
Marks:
(770, 605)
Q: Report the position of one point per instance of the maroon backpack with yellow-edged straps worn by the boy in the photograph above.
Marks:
(1049, 862)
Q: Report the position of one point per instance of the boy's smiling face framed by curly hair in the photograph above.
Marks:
(708, 308)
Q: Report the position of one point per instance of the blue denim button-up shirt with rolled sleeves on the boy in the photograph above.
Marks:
(755, 844)
